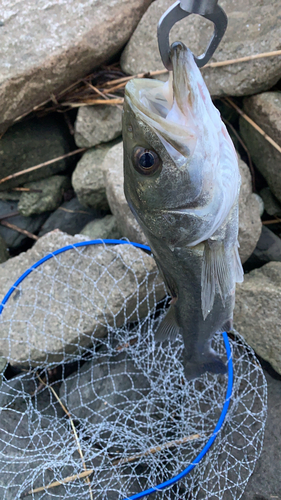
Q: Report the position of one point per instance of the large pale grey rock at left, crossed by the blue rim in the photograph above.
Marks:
(71, 299)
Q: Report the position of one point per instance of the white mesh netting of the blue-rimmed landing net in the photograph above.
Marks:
(109, 417)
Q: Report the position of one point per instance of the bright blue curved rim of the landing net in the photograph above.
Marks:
(228, 395)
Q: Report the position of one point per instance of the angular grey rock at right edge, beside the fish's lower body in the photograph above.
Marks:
(257, 312)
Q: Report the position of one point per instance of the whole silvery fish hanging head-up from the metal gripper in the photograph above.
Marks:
(182, 182)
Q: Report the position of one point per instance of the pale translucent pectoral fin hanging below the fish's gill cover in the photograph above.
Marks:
(220, 271)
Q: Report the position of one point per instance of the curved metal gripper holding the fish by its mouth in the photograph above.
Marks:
(183, 8)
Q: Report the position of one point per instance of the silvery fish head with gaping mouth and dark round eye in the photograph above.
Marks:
(172, 138)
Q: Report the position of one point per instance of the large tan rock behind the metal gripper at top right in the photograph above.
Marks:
(252, 28)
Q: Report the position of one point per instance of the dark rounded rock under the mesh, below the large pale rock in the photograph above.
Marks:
(107, 390)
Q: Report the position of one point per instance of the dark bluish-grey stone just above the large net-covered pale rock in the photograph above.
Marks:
(70, 218)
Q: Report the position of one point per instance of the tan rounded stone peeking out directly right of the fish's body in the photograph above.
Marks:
(250, 224)
